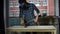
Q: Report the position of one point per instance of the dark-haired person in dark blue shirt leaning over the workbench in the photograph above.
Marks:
(27, 13)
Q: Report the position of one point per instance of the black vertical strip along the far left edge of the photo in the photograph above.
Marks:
(1, 18)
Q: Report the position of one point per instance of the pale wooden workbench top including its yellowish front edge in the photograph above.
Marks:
(32, 29)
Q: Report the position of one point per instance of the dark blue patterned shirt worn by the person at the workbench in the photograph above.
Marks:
(29, 12)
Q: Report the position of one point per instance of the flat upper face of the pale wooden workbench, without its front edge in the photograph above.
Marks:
(32, 27)
